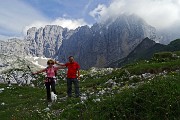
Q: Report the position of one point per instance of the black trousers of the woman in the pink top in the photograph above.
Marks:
(50, 83)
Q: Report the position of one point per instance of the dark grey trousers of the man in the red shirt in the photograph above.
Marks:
(69, 86)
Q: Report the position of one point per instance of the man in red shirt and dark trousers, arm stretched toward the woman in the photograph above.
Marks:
(72, 76)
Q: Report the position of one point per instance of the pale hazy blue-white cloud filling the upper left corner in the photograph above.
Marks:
(14, 15)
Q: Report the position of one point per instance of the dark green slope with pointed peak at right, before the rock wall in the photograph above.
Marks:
(145, 50)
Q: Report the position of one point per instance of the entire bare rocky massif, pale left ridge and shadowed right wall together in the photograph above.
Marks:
(95, 46)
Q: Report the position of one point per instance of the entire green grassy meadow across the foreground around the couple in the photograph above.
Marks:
(137, 98)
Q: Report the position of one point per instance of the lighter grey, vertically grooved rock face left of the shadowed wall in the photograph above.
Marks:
(44, 41)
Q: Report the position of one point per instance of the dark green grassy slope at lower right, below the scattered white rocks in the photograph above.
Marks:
(158, 99)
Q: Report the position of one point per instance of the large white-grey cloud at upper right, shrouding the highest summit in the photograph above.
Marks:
(158, 13)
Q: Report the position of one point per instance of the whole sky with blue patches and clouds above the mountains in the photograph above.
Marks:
(16, 16)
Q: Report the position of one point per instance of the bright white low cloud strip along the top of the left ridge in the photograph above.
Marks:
(65, 23)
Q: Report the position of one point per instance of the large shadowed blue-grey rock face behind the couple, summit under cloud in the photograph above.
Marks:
(106, 42)
